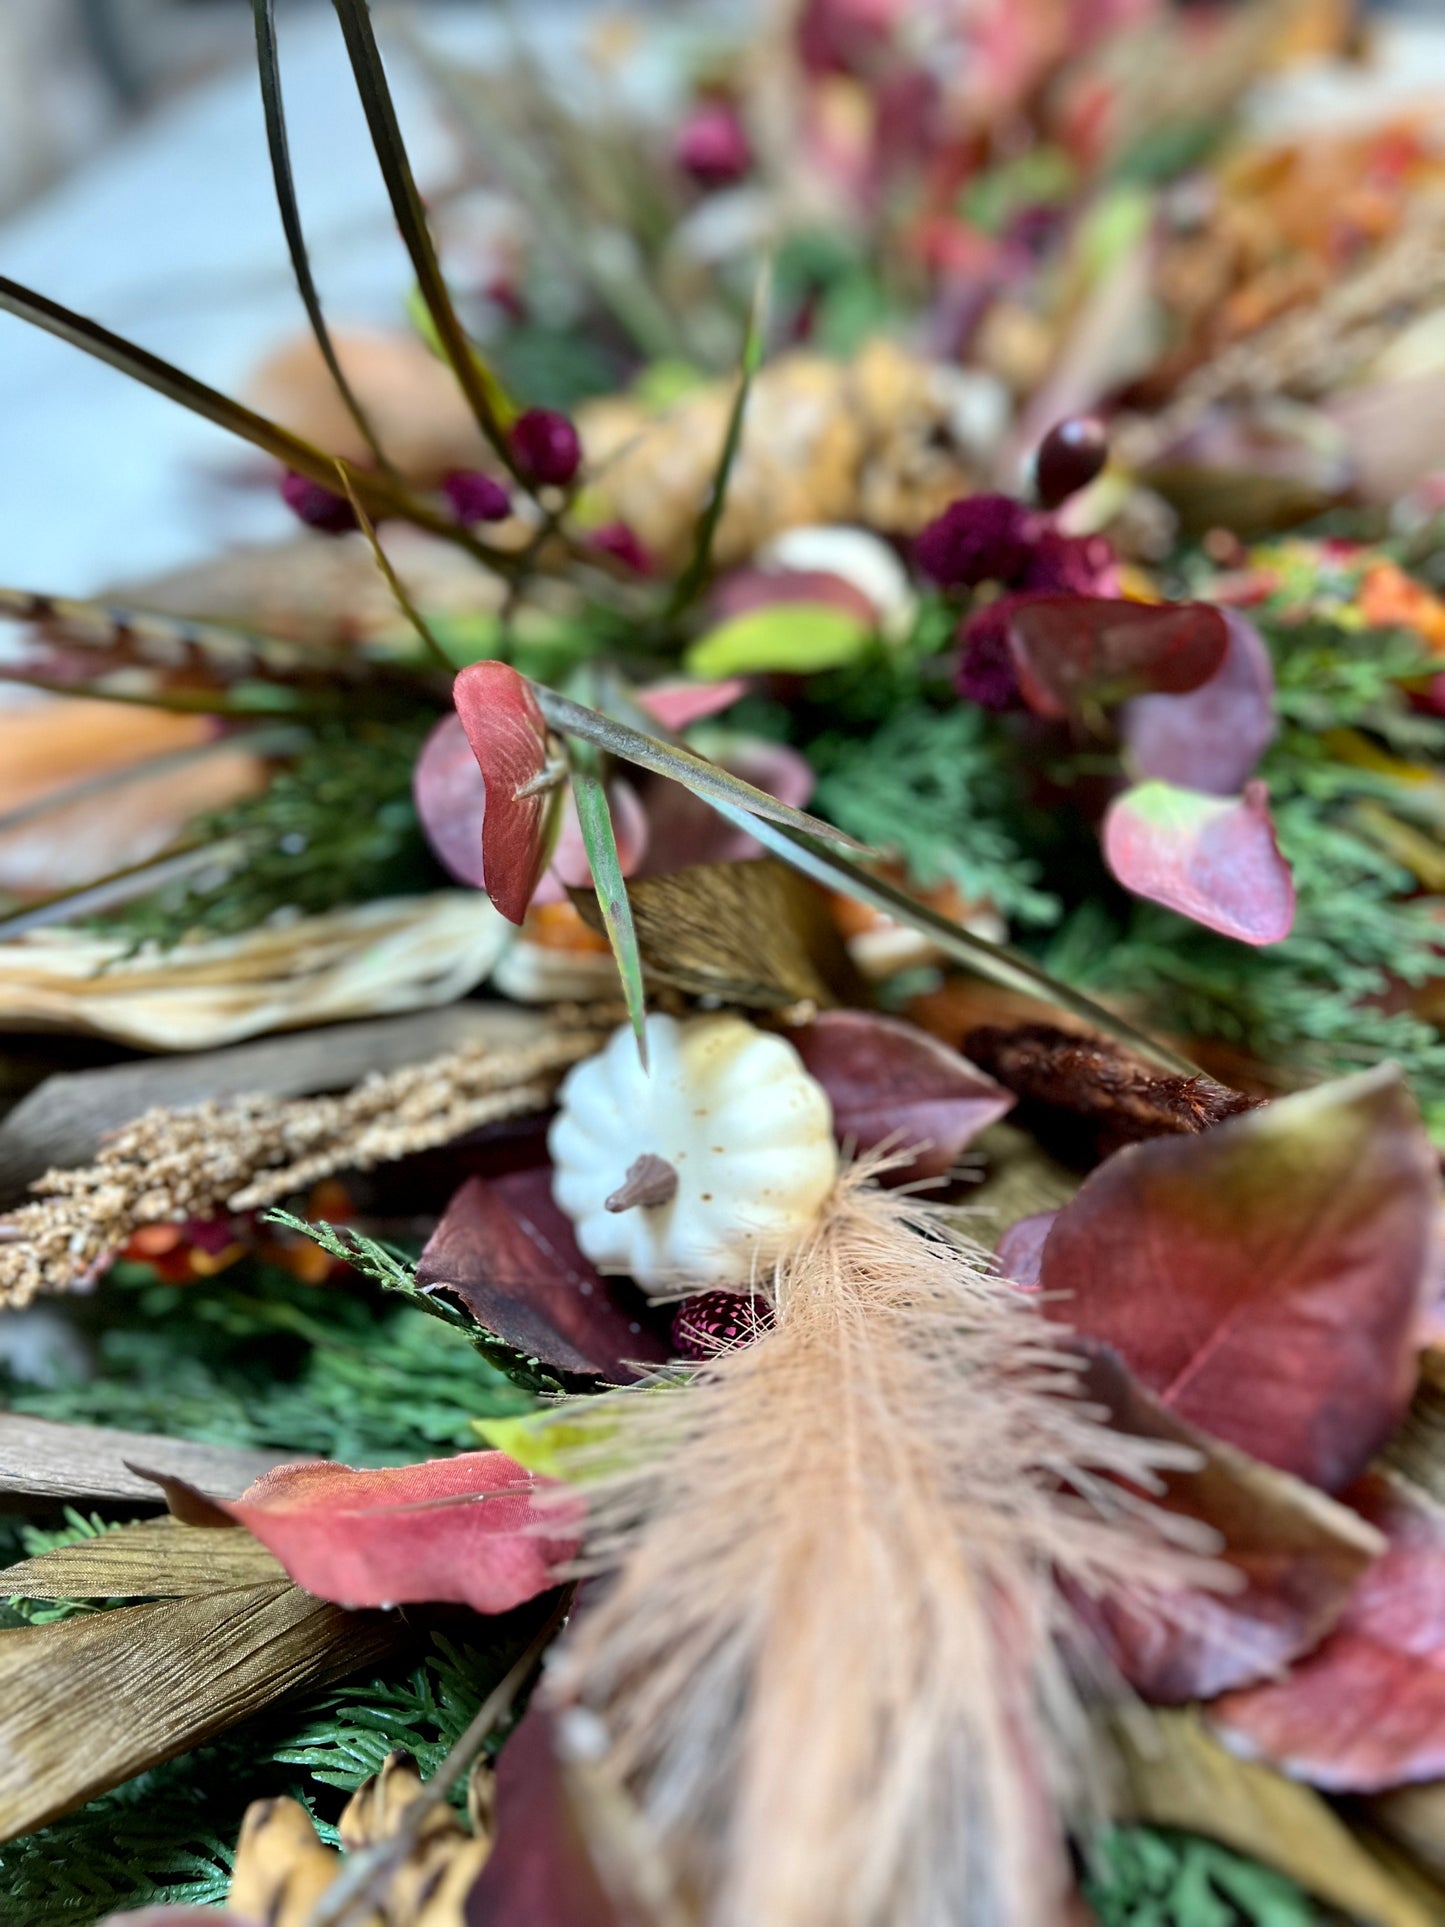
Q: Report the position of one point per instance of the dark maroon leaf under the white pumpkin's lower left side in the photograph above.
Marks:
(510, 1255)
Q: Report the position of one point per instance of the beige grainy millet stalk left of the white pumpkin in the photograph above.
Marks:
(251, 1151)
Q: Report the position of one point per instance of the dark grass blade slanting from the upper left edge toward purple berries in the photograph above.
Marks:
(381, 494)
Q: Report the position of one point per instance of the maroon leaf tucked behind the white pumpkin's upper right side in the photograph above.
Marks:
(891, 1082)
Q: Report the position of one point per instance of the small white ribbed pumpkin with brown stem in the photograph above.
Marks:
(702, 1169)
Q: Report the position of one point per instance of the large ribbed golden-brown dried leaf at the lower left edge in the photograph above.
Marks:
(92, 1703)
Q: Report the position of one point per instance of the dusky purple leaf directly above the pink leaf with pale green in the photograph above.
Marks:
(1213, 737)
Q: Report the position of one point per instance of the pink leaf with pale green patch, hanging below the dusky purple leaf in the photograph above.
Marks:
(1211, 858)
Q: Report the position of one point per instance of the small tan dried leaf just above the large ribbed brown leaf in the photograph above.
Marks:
(147, 1560)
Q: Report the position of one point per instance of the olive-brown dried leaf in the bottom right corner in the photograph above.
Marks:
(1176, 1776)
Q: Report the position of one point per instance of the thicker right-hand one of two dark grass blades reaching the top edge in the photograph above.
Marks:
(473, 377)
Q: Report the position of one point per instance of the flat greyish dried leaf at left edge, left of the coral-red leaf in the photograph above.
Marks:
(45, 1460)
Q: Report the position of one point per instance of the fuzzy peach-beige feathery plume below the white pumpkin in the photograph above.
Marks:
(833, 1654)
